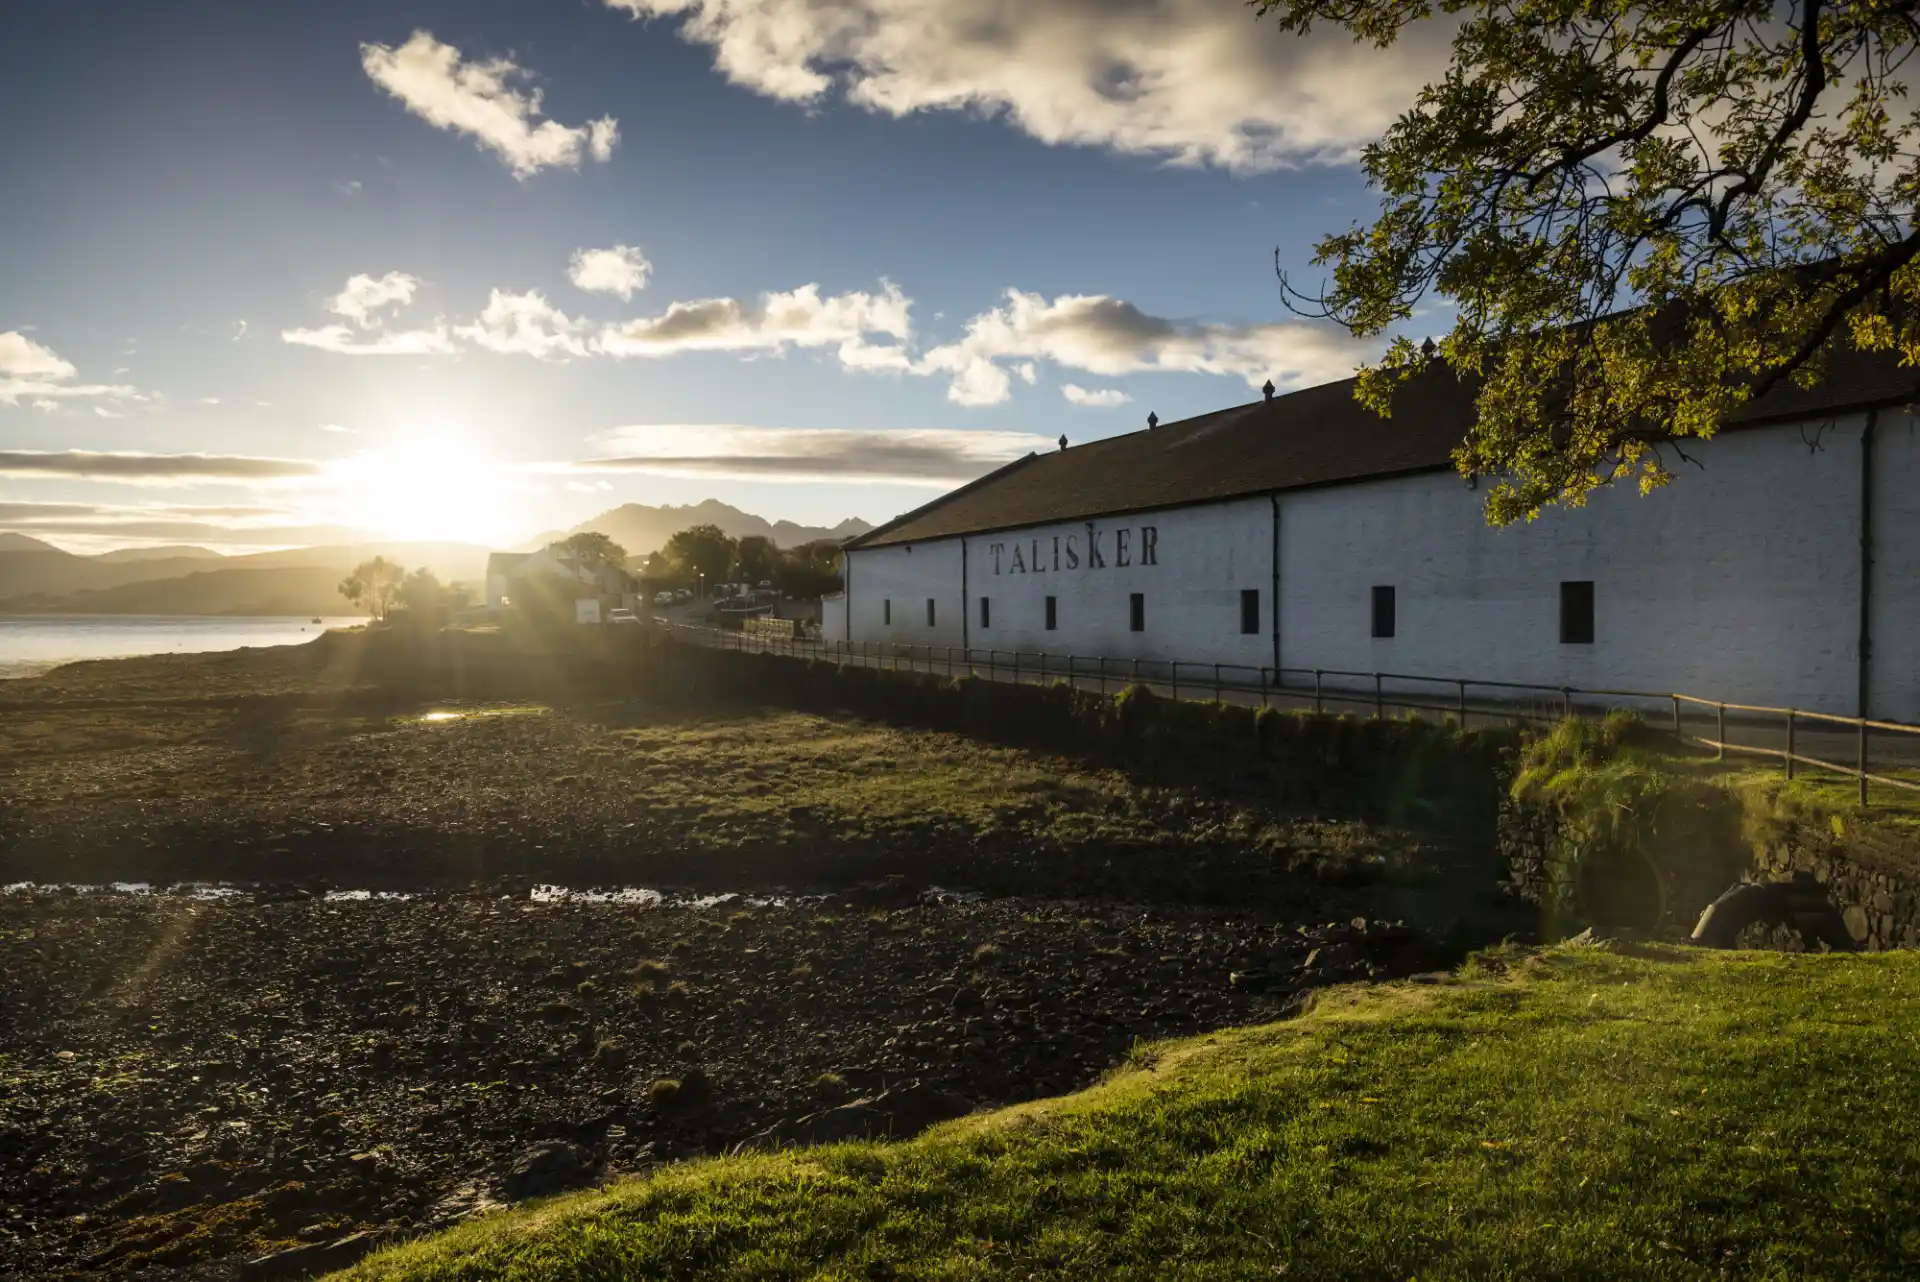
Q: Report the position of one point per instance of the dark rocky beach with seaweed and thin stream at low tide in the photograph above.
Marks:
(381, 1020)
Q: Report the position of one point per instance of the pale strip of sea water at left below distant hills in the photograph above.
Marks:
(32, 644)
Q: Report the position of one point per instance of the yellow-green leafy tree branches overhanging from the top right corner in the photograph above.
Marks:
(1644, 218)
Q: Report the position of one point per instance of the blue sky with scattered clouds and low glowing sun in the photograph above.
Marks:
(817, 260)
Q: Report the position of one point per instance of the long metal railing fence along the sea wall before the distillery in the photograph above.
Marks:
(1691, 719)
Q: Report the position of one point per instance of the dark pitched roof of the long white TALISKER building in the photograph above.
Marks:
(1318, 437)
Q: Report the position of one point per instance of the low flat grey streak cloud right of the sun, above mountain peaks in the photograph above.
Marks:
(732, 452)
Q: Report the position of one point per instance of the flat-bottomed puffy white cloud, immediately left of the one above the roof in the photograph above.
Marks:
(800, 320)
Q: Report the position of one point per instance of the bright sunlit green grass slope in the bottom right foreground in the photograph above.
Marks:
(1577, 1114)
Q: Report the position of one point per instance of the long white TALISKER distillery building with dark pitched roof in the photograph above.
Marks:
(1783, 567)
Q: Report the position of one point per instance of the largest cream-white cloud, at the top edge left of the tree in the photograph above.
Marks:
(1191, 82)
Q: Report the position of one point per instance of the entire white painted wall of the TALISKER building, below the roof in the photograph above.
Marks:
(1737, 582)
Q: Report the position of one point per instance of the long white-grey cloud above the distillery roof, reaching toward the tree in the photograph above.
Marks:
(1111, 337)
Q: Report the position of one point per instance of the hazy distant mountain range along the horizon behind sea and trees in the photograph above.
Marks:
(39, 579)
